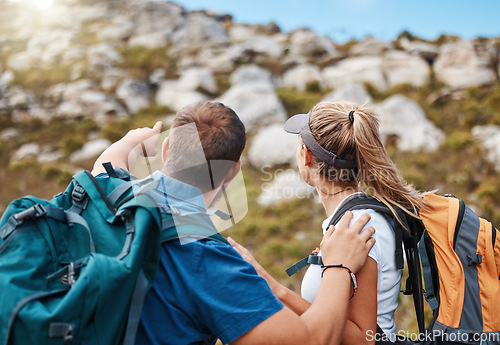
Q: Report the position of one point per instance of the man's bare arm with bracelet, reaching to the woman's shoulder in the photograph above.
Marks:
(324, 321)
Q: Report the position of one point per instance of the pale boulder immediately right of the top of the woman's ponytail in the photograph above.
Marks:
(404, 119)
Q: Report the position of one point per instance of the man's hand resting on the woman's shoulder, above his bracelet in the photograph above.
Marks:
(347, 246)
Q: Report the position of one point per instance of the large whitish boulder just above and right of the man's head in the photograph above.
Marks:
(252, 96)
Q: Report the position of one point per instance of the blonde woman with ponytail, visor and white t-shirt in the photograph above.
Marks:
(340, 153)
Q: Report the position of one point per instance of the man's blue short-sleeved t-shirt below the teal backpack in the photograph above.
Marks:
(203, 288)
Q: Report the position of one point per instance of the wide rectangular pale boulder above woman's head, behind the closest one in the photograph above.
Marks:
(363, 69)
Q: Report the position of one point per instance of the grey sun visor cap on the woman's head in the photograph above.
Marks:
(299, 124)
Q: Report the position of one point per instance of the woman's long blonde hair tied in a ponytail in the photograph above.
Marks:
(356, 135)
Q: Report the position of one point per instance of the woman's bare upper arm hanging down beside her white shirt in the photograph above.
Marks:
(363, 307)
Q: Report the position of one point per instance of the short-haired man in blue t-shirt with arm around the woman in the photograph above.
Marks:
(204, 289)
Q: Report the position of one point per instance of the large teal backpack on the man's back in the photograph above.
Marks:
(76, 269)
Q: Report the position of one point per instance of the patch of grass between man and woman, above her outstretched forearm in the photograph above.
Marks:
(270, 233)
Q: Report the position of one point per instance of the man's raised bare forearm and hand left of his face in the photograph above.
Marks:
(124, 152)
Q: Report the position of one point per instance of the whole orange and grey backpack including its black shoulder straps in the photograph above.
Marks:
(458, 255)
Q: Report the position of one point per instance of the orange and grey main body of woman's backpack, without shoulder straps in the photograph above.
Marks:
(460, 255)
